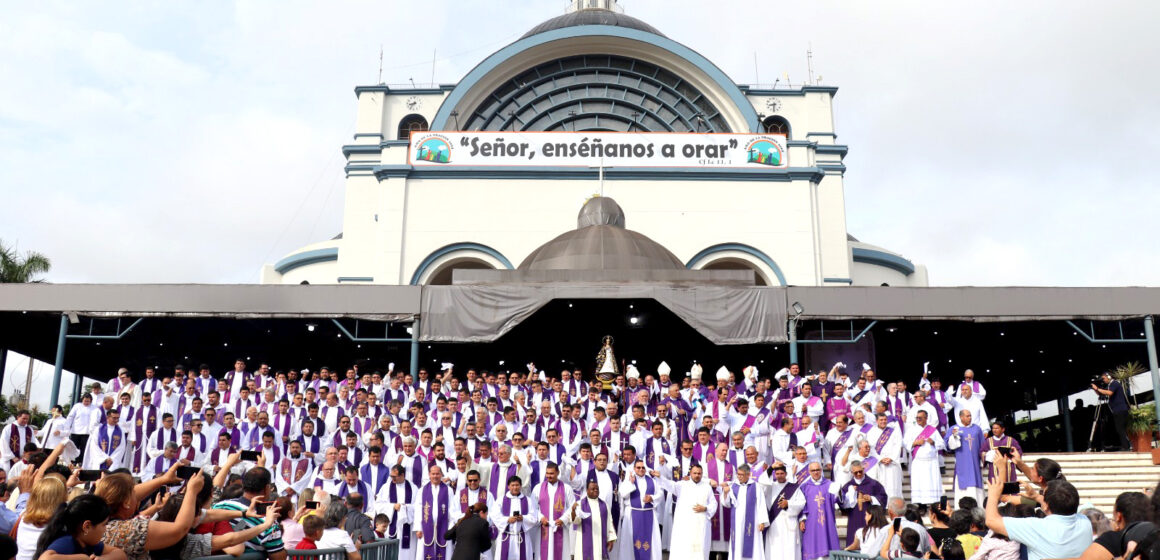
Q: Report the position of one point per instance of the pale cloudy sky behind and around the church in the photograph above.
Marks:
(999, 144)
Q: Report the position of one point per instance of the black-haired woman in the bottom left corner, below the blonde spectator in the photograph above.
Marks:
(76, 532)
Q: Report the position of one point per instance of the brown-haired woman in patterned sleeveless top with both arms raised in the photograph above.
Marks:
(137, 536)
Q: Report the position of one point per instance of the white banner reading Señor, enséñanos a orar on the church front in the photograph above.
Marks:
(599, 150)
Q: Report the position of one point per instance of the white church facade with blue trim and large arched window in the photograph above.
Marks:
(594, 75)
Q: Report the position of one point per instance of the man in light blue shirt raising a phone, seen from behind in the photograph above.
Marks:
(1063, 534)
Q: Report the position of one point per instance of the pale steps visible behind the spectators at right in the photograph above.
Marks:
(1099, 478)
